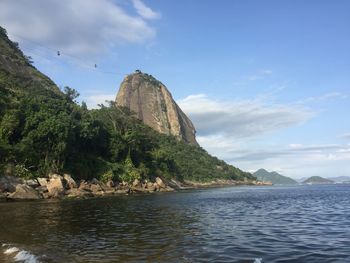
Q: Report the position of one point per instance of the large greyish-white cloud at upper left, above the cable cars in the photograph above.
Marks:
(76, 27)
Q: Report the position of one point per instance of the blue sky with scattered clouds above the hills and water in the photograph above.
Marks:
(266, 83)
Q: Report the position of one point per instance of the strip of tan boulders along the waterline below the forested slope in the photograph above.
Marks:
(57, 186)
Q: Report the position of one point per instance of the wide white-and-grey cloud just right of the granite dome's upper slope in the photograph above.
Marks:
(241, 119)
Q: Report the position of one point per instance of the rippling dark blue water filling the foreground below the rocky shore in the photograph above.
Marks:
(236, 224)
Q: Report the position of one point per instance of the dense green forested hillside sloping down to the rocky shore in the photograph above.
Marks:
(44, 130)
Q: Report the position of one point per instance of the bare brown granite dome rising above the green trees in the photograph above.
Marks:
(153, 104)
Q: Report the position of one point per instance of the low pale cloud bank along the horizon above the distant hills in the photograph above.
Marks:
(296, 162)
